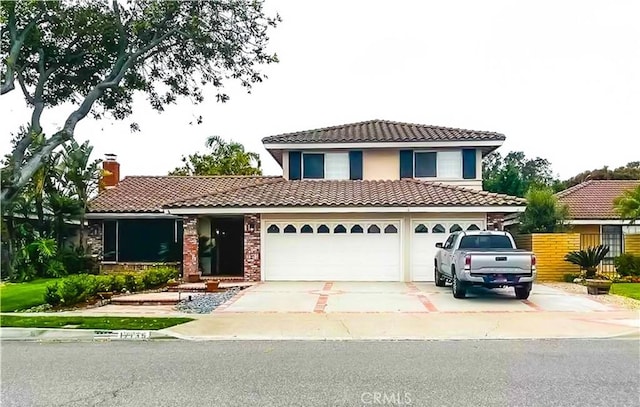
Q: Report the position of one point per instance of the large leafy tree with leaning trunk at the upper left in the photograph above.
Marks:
(96, 55)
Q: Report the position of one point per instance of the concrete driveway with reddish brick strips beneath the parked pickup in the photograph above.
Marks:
(397, 297)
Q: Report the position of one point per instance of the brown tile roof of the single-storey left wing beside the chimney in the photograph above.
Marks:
(150, 193)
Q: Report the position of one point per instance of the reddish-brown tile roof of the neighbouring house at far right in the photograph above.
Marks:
(594, 199)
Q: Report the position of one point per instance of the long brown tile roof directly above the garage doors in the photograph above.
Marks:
(325, 193)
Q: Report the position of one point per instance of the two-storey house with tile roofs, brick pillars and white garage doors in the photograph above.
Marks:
(364, 201)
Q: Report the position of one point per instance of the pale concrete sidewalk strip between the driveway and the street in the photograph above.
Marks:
(419, 326)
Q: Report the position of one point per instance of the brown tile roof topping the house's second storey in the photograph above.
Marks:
(382, 131)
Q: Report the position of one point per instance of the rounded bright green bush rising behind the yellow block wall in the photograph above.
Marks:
(543, 213)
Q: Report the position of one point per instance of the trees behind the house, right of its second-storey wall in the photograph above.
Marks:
(514, 174)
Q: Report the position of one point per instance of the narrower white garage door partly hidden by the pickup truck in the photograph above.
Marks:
(424, 236)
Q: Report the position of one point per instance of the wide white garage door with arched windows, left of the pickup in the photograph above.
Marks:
(332, 251)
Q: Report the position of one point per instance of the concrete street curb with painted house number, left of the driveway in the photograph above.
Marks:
(62, 334)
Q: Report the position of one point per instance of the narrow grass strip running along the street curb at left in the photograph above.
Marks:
(90, 322)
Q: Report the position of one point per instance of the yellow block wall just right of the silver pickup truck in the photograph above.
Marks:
(550, 249)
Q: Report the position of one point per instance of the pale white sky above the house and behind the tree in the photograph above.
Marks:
(560, 79)
